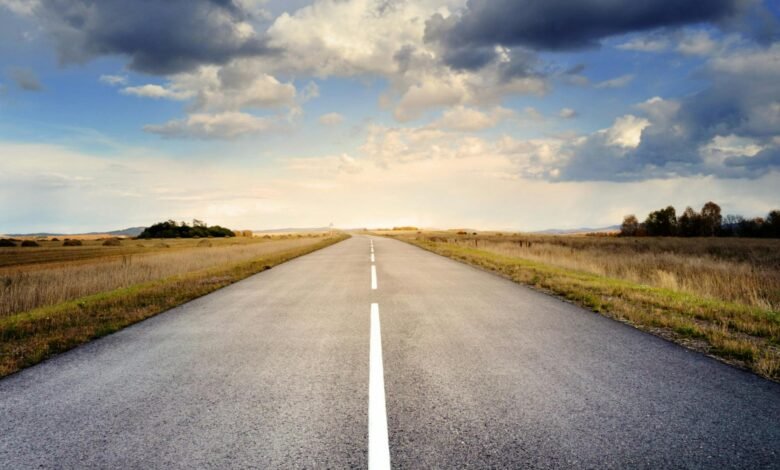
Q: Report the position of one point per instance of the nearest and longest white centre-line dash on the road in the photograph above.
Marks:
(378, 444)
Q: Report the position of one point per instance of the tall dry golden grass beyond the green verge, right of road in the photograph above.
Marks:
(746, 271)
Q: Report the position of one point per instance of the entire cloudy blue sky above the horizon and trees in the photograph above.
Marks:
(488, 114)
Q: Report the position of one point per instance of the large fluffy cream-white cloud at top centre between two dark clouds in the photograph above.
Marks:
(377, 38)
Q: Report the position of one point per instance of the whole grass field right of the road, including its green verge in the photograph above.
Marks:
(718, 296)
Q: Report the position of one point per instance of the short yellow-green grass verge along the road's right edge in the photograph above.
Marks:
(741, 335)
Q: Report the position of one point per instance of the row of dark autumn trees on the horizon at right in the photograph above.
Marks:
(707, 223)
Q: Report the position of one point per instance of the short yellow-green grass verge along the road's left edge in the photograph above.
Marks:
(30, 337)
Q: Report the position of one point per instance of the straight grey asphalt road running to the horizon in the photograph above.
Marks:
(273, 372)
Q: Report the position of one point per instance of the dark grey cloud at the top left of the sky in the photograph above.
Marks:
(159, 36)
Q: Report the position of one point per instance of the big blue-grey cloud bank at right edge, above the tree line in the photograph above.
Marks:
(729, 130)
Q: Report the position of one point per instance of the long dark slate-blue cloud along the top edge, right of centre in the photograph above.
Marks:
(567, 24)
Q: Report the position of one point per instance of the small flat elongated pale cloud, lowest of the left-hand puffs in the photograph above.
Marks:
(227, 125)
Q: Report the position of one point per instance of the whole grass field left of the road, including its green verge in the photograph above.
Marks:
(53, 298)
